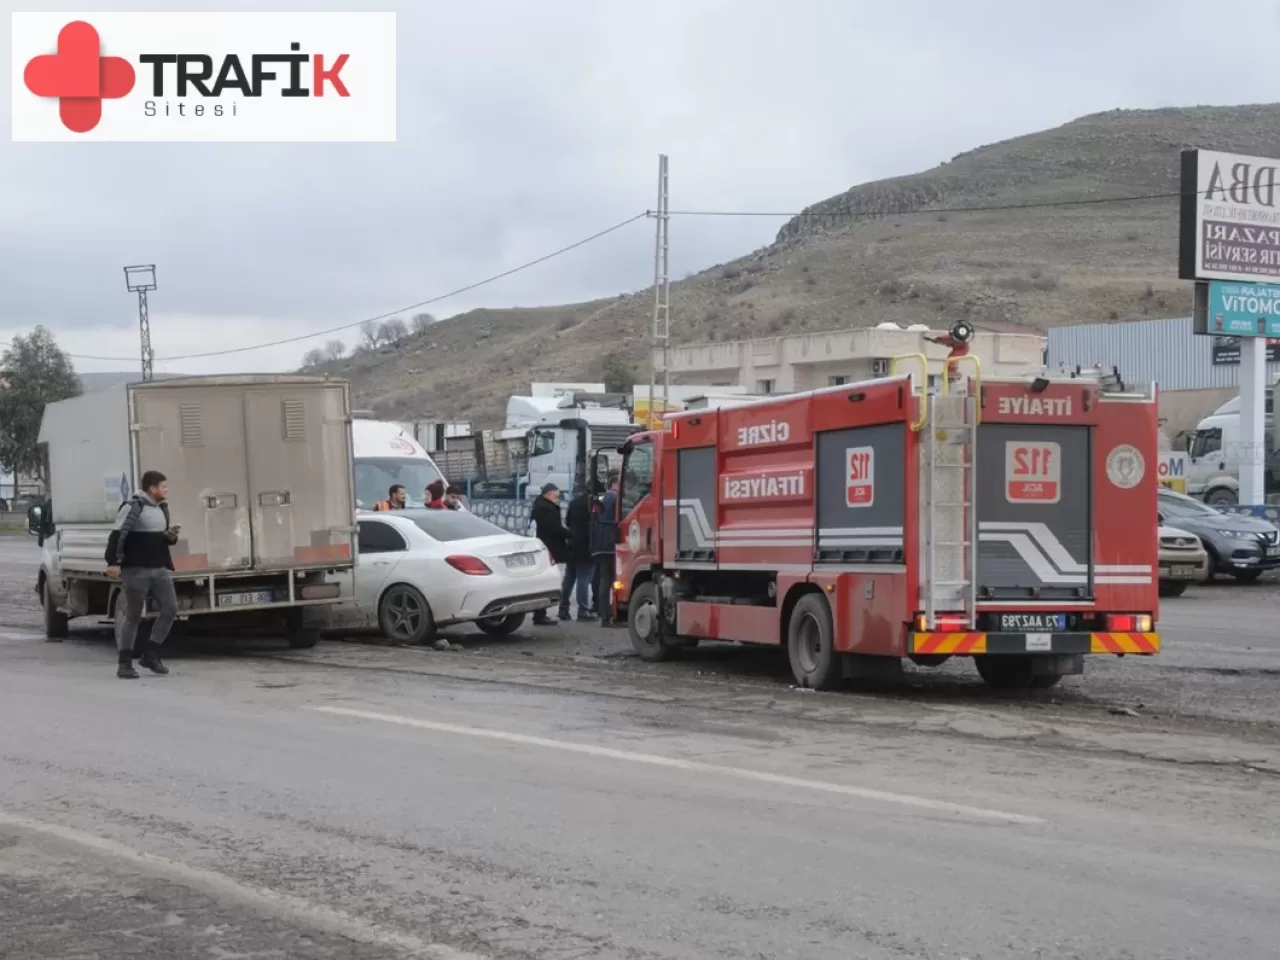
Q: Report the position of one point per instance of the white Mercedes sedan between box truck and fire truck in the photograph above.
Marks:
(419, 570)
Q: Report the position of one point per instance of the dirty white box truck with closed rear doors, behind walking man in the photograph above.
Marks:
(260, 481)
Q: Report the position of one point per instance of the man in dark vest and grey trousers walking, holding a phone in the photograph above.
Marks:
(138, 555)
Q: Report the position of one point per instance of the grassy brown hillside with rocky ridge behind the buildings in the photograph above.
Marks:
(902, 250)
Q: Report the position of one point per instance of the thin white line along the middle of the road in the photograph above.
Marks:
(692, 766)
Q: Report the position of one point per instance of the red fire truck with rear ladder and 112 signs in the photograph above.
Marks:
(1007, 520)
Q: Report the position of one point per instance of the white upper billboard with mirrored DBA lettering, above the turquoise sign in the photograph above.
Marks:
(1229, 222)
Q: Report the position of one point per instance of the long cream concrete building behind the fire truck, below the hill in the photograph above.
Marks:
(811, 362)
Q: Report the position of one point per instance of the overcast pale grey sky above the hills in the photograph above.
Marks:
(524, 127)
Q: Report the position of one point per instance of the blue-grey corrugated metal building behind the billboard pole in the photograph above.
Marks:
(1196, 374)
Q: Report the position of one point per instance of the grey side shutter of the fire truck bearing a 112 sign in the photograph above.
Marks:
(862, 495)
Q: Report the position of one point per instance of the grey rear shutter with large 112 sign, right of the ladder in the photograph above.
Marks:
(1035, 513)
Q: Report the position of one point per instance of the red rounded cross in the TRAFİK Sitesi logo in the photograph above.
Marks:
(80, 77)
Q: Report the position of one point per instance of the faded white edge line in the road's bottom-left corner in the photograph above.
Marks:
(263, 899)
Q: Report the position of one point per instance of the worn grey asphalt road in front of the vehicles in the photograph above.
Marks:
(550, 797)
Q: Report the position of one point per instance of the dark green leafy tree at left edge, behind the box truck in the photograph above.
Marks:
(34, 372)
